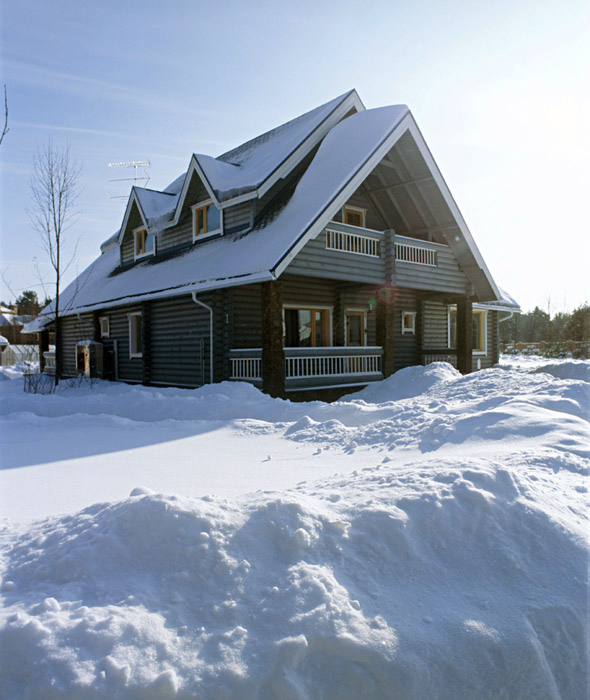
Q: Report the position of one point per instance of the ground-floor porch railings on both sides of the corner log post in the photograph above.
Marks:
(313, 368)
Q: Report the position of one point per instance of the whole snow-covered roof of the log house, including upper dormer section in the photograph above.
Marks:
(349, 151)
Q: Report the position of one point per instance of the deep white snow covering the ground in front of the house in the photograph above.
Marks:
(426, 537)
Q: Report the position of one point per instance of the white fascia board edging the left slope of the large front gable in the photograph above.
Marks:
(345, 193)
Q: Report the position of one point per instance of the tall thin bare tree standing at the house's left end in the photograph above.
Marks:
(54, 190)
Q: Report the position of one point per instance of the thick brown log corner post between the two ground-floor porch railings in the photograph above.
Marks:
(273, 363)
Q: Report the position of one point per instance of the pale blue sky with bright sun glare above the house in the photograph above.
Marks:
(499, 90)
